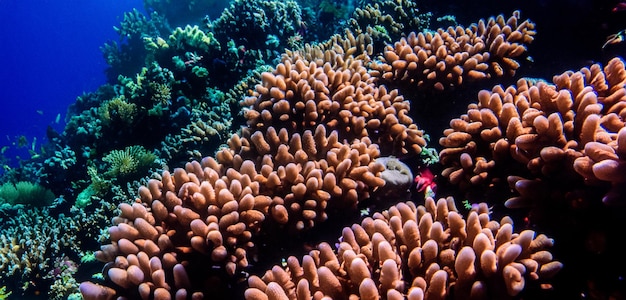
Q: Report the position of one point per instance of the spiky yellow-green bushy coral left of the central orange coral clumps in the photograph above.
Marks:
(131, 161)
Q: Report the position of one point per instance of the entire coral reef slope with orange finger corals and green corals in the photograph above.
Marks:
(221, 147)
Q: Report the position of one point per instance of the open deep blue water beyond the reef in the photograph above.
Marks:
(49, 55)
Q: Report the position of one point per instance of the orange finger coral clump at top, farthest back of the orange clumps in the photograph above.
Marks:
(448, 58)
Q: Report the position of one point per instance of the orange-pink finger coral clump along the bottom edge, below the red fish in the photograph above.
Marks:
(416, 252)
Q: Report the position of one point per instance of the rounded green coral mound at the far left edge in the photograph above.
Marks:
(27, 193)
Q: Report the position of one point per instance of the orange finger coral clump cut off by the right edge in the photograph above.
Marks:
(572, 130)
